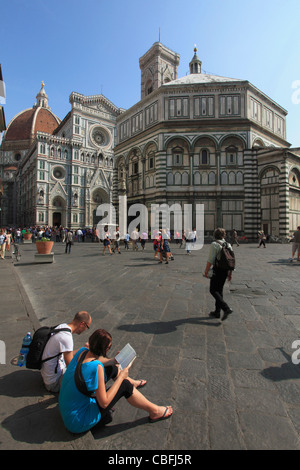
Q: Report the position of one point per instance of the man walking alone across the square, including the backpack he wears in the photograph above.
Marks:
(221, 258)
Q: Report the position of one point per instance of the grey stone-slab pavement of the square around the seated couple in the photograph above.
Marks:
(232, 384)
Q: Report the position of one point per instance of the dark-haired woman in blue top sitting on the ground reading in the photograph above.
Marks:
(81, 412)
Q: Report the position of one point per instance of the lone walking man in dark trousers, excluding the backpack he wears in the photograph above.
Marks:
(219, 276)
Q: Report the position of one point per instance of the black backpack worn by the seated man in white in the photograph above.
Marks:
(37, 346)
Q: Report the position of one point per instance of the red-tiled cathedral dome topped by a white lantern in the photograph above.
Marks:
(23, 127)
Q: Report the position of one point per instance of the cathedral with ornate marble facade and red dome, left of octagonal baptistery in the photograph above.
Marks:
(64, 172)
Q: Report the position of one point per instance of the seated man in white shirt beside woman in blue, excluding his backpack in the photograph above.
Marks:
(58, 352)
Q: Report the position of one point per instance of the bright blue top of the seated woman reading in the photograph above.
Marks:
(79, 412)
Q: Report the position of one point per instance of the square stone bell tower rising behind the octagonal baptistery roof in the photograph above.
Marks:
(158, 66)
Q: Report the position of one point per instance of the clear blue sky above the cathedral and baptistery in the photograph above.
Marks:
(94, 46)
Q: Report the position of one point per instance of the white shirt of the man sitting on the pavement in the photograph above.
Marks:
(59, 343)
